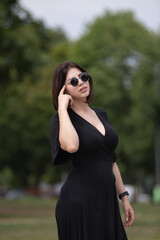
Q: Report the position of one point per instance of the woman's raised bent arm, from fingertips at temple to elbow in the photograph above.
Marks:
(68, 136)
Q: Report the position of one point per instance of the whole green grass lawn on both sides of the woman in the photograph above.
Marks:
(33, 219)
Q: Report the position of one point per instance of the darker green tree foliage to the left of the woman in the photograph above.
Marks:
(29, 51)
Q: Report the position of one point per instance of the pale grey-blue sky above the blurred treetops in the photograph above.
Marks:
(73, 15)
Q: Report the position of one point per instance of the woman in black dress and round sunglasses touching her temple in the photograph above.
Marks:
(87, 208)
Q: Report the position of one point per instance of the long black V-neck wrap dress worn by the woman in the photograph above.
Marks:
(87, 208)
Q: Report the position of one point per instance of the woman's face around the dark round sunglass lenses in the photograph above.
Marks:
(82, 90)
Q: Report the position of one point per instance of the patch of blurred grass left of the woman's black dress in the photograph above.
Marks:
(27, 219)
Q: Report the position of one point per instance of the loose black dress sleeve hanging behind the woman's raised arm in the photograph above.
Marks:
(59, 156)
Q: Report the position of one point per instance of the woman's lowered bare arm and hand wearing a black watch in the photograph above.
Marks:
(129, 213)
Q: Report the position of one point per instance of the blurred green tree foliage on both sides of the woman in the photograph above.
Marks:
(118, 52)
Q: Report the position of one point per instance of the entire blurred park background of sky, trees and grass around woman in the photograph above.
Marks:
(118, 42)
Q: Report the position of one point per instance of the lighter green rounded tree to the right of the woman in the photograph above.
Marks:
(120, 54)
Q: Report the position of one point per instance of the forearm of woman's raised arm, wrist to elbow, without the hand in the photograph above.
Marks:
(68, 136)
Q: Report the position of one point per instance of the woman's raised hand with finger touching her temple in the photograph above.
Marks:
(64, 99)
